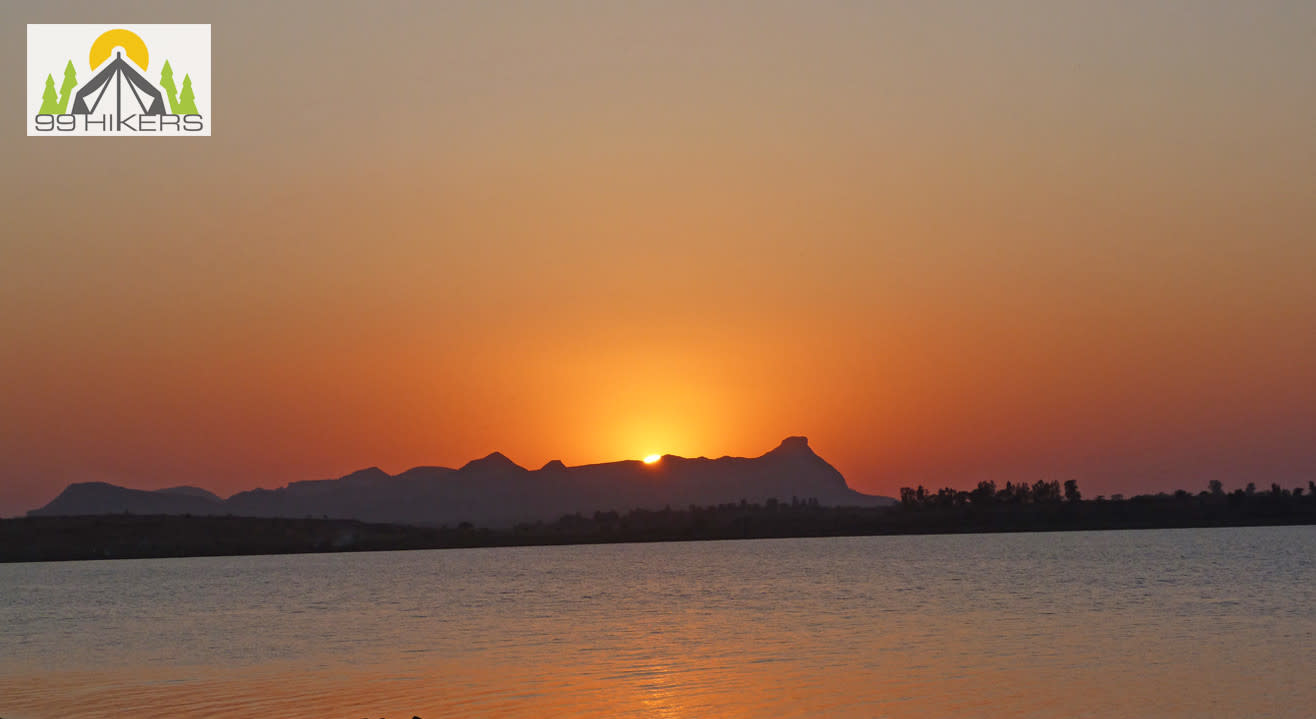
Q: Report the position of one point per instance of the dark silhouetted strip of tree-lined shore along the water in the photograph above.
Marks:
(922, 512)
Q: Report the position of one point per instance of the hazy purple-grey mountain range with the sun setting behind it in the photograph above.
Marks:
(494, 492)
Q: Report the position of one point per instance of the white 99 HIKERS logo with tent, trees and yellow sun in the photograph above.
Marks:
(149, 81)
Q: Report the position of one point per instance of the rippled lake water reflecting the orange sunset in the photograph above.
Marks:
(1188, 624)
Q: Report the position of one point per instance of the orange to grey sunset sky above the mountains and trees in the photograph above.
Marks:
(947, 242)
